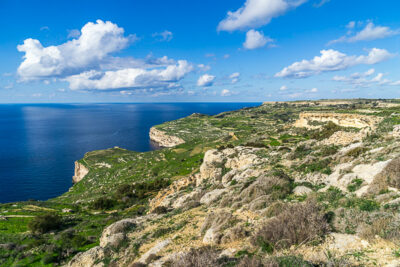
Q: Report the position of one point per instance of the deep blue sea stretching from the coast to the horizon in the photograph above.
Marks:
(40, 142)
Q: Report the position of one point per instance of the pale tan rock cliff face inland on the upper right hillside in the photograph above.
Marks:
(341, 119)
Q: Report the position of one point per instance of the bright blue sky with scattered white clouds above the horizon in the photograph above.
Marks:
(83, 51)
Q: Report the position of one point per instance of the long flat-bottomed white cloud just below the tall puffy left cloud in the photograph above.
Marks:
(164, 78)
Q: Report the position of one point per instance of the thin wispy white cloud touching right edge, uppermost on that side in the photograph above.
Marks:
(369, 33)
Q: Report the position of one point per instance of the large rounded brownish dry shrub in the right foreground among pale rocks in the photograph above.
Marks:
(298, 223)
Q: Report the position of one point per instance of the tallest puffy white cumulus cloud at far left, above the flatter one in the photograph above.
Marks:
(96, 42)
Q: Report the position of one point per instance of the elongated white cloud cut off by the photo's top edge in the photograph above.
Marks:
(256, 13)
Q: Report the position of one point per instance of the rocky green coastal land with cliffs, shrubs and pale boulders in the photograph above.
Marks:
(282, 184)
